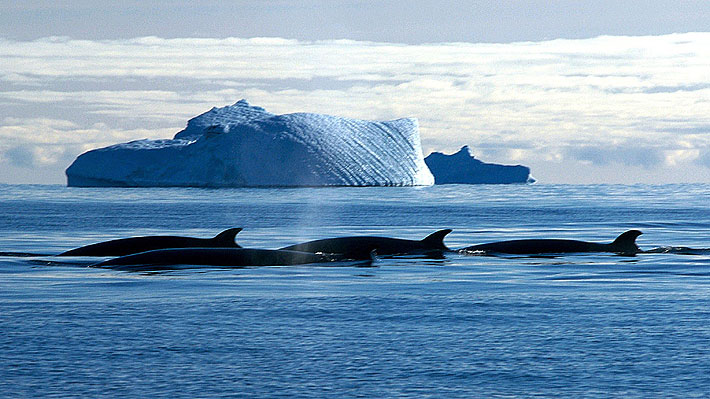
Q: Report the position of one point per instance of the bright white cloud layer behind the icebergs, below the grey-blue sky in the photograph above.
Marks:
(594, 106)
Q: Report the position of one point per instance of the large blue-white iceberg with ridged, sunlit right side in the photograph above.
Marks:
(242, 145)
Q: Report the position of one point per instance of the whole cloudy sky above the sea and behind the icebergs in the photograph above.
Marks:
(580, 91)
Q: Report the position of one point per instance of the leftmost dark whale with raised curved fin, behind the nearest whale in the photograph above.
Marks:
(127, 246)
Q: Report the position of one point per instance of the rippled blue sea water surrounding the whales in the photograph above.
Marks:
(587, 325)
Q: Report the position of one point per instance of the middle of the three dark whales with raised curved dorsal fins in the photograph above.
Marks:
(362, 247)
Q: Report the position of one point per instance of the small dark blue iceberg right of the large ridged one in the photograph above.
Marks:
(463, 168)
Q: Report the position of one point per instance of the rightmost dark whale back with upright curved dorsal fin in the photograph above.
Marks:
(623, 244)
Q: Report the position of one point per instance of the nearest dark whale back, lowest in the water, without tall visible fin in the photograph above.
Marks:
(180, 258)
